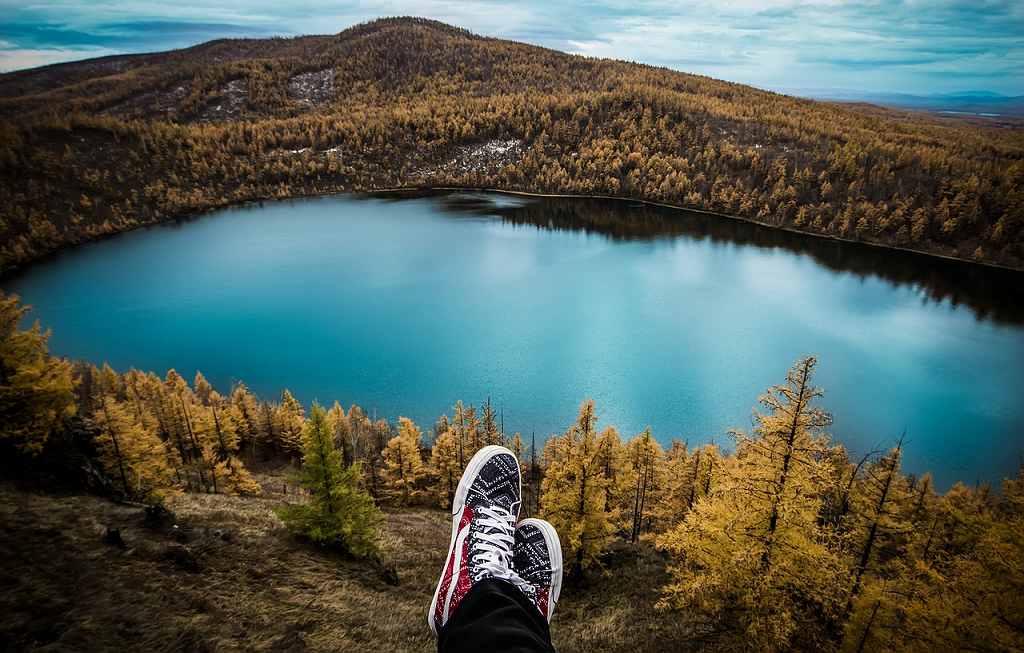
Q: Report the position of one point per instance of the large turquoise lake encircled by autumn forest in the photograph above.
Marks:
(667, 319)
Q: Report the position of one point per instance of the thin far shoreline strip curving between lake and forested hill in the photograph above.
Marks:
(21, 269)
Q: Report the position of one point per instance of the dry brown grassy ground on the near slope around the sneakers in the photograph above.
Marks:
(225, 576)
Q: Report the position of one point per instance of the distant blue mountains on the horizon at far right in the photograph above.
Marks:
(978, 103)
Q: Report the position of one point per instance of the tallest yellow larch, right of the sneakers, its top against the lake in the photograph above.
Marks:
(751, 556)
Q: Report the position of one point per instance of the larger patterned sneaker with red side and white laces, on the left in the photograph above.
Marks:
(484, 517)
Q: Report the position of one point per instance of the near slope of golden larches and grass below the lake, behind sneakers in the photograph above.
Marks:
(780, 541)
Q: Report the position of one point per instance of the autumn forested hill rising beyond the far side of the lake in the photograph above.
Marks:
(96, 148)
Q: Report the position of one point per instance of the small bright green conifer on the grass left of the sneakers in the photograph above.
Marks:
(339, 513)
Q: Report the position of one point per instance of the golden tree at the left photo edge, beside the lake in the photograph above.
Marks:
(36, 390)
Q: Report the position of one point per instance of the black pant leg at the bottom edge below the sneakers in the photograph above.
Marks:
(496, 618)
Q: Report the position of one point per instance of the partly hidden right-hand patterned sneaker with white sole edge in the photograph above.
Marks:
(537, 558)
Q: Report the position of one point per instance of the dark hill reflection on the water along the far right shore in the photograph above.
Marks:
(990, 293)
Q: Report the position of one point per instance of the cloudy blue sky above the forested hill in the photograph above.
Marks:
(911, 47)
